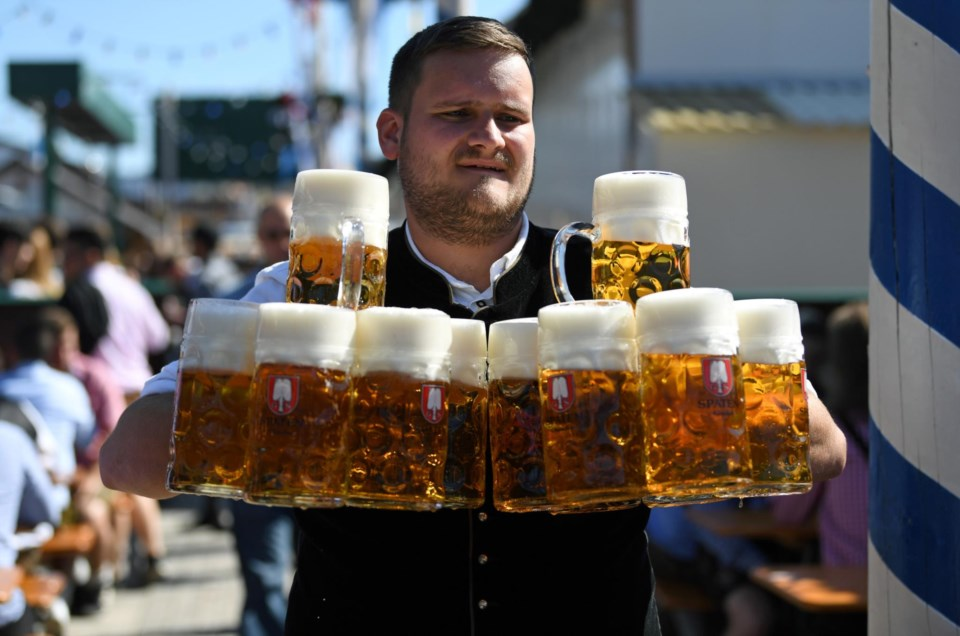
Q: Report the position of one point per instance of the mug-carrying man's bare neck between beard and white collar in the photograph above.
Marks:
(469, 263)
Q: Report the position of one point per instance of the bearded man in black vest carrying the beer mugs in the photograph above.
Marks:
(460, 124)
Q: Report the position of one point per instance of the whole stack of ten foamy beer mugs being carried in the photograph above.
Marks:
(653, 392)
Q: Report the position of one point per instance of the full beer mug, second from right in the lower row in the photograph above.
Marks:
(695, 440)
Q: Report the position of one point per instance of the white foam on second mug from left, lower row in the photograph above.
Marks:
(307, 335)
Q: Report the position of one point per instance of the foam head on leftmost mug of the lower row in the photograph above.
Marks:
(219, 334)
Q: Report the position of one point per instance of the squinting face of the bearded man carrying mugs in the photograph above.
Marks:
(467, 145)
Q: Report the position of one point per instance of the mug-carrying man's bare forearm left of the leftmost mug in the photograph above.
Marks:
(134, 458)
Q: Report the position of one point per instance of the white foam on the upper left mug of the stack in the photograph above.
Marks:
(323, 198)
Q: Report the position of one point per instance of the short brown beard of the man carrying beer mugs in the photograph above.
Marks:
(452, 216)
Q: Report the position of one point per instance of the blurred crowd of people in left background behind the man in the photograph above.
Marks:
(83, 326)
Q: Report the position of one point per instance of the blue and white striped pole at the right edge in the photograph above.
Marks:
(915, 318)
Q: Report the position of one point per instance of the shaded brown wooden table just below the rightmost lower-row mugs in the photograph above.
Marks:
(751, 523)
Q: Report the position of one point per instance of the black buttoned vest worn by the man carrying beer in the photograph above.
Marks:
(486, 572)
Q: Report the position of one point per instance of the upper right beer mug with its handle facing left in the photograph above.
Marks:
(639, 235)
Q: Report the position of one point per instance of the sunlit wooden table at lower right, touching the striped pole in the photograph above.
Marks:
(816, 588)
